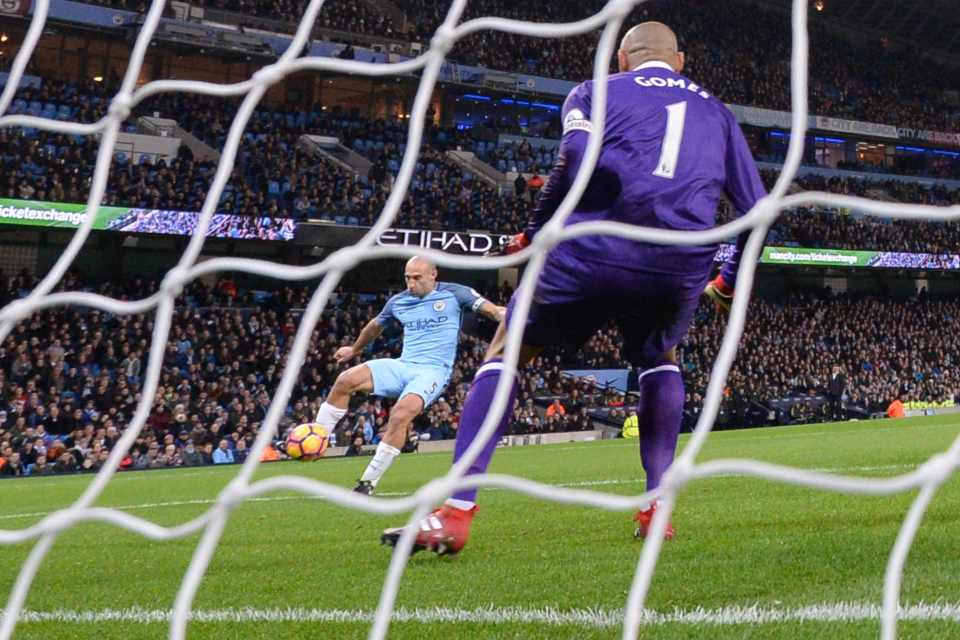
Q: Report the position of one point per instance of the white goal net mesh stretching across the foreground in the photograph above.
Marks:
(928, 478)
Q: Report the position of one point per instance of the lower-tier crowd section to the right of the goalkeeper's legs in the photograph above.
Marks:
(887, 349)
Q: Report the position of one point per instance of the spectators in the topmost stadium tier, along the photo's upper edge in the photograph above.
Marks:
(860, 80)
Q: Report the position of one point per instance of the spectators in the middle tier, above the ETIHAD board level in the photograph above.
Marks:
(275, 177)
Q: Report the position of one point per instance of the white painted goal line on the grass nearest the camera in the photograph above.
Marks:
(725, 616)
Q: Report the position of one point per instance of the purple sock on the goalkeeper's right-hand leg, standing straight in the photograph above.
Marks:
(660, 414)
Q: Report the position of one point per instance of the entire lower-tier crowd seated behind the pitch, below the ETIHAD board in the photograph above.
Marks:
(71, 380)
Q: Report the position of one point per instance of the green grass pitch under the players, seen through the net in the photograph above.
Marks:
(741, 542)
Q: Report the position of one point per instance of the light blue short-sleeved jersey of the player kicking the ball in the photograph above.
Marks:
(431, 324)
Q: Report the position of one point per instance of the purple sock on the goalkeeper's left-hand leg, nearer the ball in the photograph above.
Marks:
(474, 411)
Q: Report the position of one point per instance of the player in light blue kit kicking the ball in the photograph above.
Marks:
(430, 313)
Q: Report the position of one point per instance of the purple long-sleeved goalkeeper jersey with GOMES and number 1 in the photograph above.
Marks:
(669, 150)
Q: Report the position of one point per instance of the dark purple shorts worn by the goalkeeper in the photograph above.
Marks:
(573, 299)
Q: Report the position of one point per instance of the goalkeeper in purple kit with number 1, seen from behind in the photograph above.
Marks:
(669, 150)
